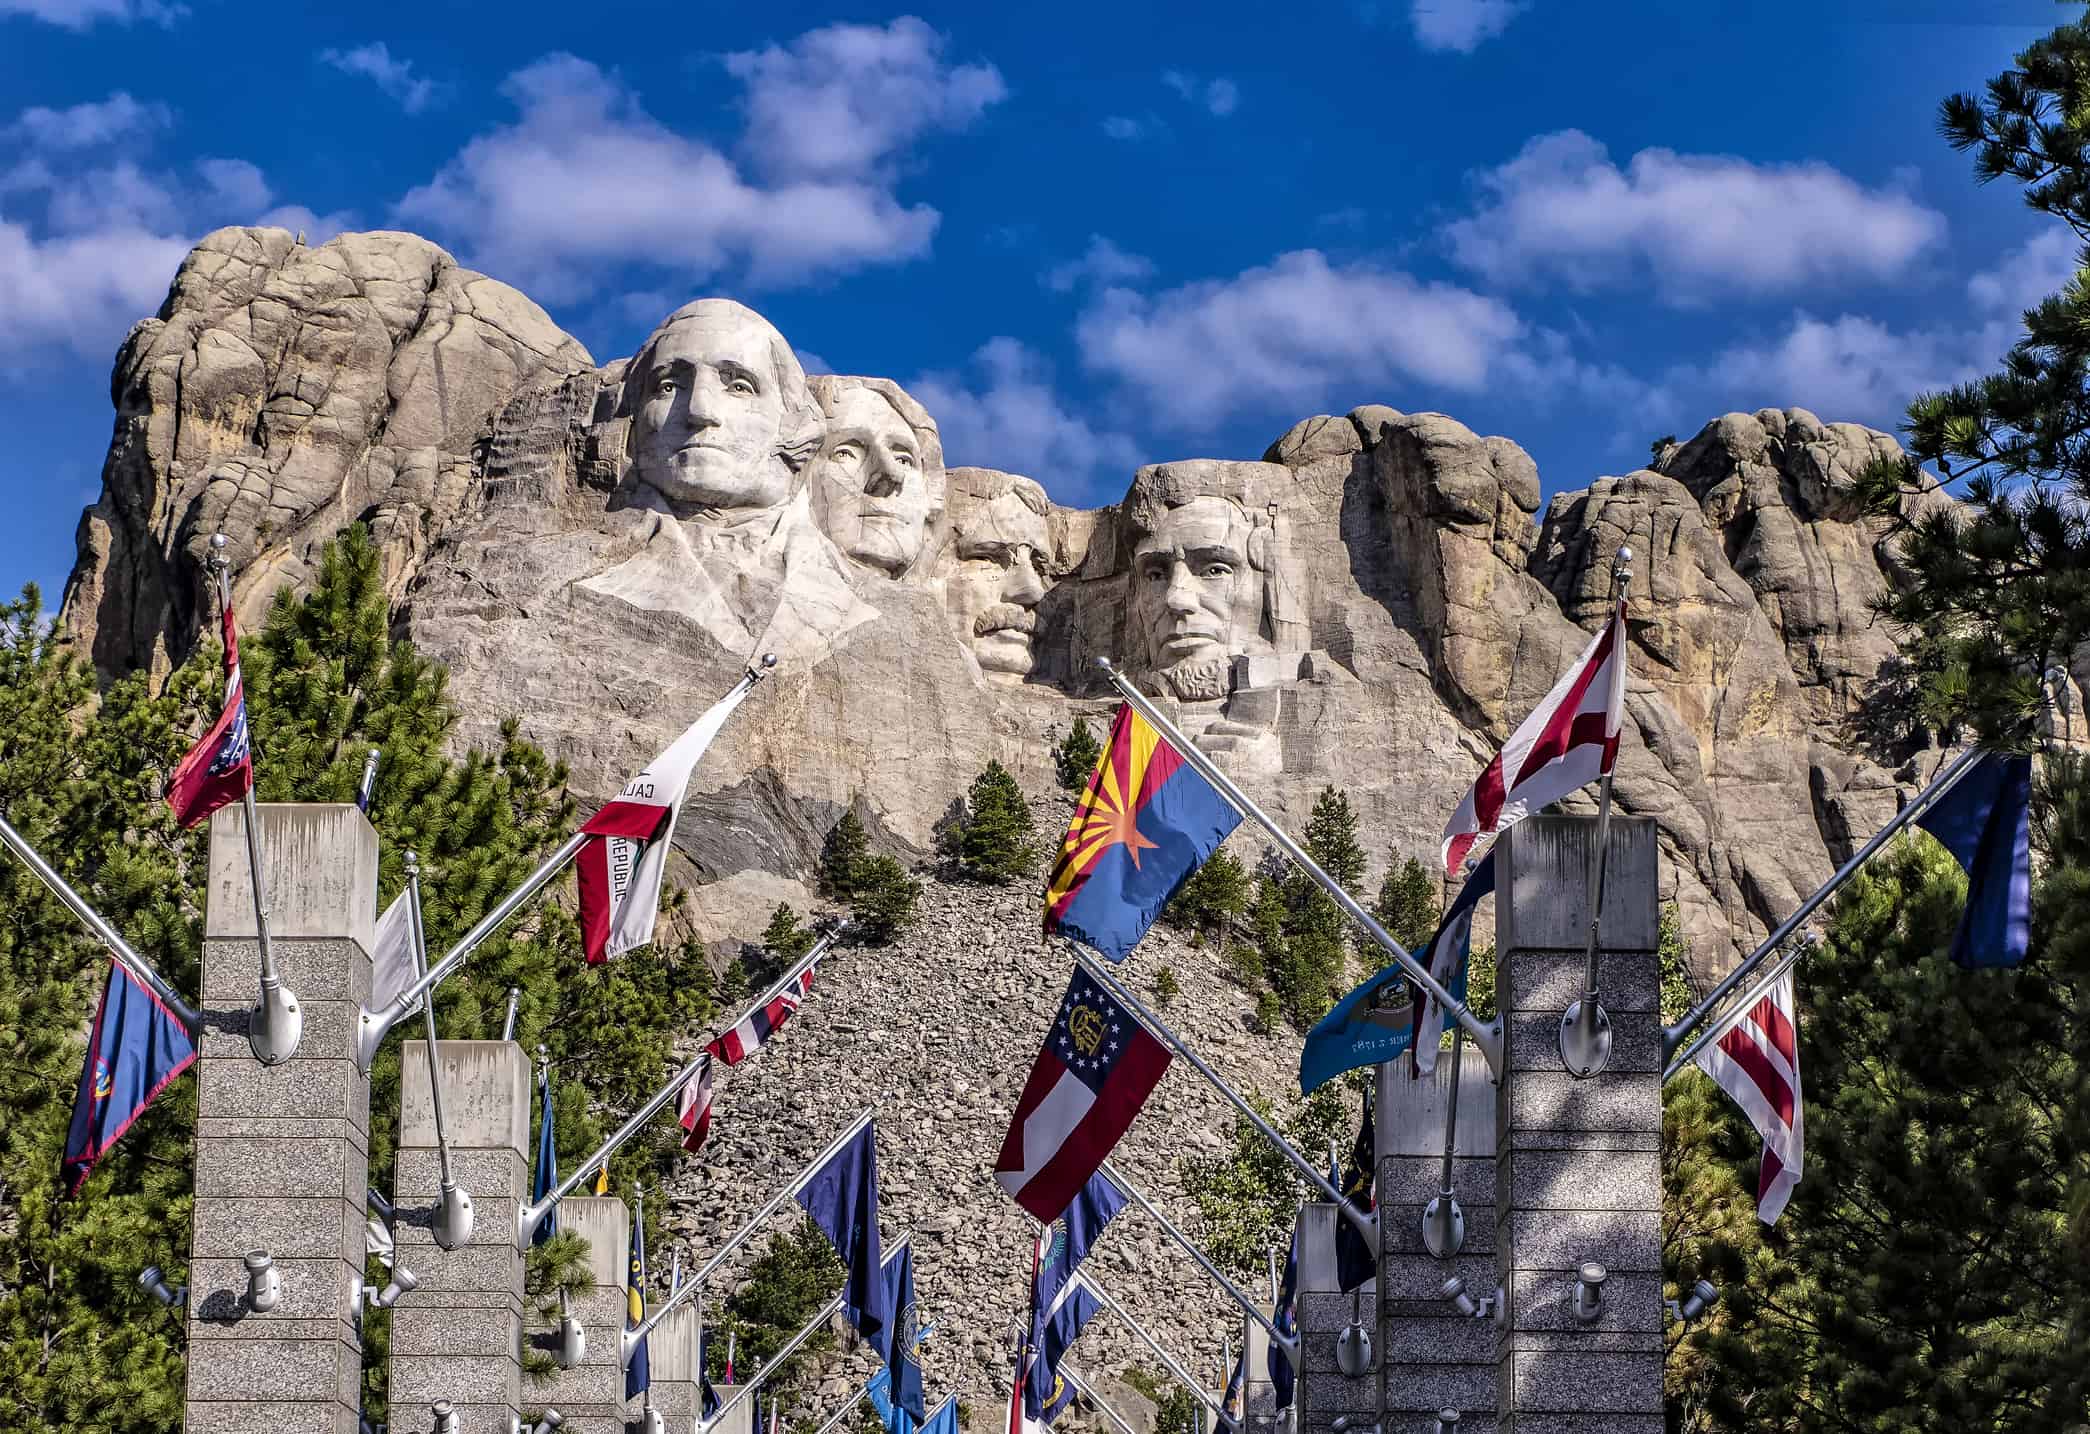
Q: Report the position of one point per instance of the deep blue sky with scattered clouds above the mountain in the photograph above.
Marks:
(1086, 235)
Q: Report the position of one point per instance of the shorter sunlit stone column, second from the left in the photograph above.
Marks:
(459, 1335)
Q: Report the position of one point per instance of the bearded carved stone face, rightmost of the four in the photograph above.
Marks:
(1197, 597)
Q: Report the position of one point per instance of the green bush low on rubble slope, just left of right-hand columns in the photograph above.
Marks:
(1249, 1195)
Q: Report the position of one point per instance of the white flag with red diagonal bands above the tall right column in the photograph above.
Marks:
(1569, 741)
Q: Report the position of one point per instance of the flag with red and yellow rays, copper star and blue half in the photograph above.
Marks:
(1142, 827)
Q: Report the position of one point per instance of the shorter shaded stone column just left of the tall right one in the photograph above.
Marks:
(1431, 1356)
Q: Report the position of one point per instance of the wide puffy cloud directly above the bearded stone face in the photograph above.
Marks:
(1297, 331)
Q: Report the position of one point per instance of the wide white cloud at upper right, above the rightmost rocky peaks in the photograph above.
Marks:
(1700, 227)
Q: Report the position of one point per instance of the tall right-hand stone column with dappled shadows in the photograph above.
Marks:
(1579, 1163)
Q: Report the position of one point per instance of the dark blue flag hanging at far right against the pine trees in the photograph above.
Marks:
(1987, 825)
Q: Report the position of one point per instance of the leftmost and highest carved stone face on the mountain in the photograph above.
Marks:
(710, 411)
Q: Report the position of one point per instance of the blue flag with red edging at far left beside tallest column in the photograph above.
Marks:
(135, 1048)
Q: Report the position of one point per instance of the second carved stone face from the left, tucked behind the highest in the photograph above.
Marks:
(870, 482)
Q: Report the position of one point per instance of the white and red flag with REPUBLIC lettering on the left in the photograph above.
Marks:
(624, 862)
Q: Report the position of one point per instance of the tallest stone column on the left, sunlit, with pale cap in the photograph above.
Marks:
(283, 1151)
